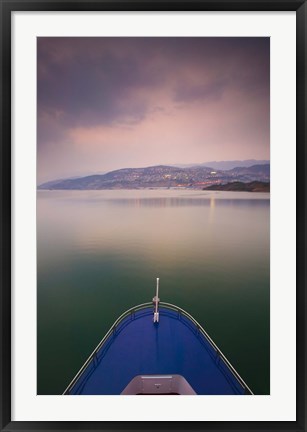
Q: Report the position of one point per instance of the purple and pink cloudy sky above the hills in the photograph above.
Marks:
(109, 103)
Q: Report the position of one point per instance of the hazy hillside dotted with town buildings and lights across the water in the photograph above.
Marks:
(161, 176)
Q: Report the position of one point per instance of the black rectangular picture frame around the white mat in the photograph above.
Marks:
(7, 7)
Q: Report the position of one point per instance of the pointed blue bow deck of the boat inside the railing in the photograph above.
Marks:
(175, 345)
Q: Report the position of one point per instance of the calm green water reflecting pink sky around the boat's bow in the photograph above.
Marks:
(99, 253)
